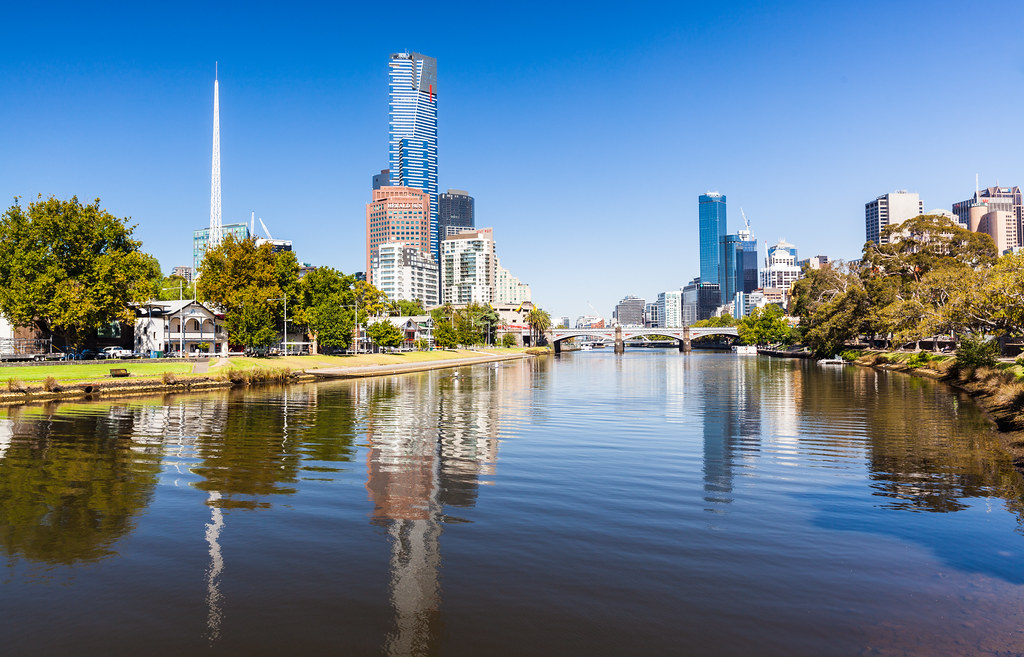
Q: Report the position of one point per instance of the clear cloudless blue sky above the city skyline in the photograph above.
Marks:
(585, 132)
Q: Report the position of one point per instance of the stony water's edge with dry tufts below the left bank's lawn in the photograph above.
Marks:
(236, 374)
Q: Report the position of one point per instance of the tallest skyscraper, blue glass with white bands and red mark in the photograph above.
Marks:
(413, 129)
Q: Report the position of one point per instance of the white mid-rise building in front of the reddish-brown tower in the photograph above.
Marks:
(405, 274)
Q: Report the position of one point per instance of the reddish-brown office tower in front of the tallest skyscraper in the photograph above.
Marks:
(398, 215)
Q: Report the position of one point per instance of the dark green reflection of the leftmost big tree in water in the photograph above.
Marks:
(71, 487)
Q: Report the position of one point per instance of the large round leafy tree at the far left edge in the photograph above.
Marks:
(69, 269)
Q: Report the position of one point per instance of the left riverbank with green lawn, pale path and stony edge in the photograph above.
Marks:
(74, 381)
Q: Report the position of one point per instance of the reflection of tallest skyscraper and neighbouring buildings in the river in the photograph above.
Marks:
(432, 442)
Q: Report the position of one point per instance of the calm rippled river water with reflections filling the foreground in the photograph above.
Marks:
(650, 504)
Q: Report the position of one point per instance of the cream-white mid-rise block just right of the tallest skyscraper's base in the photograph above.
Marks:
(468, 268)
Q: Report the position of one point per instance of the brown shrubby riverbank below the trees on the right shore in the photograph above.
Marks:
(997, 386)
